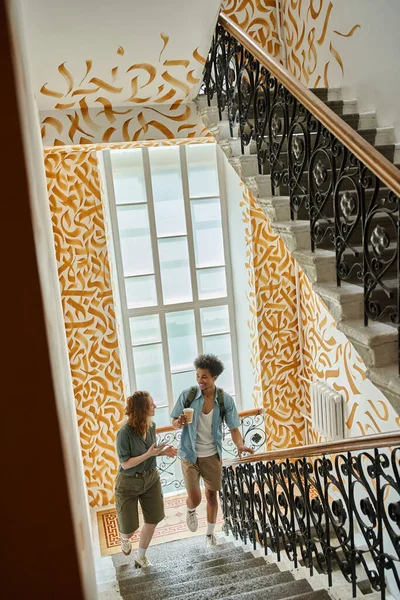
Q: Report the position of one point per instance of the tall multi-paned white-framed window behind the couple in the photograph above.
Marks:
(172, 265)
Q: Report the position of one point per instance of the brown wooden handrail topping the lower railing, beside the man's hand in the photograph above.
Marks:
(366, 442)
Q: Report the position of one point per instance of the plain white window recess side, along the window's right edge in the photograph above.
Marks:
(234, 198)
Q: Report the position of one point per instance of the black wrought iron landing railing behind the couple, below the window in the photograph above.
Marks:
(253, 433)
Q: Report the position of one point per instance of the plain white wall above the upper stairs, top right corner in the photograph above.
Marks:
(370, 57)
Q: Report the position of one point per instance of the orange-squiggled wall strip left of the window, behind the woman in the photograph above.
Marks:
(88, 305)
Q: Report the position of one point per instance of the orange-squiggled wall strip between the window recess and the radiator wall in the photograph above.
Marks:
(274, 330)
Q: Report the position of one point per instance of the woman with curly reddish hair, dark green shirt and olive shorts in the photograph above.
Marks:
(138, 478)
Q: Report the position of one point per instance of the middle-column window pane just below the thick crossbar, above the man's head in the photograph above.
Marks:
(181, 339)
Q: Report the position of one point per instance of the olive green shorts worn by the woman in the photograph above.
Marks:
(146, 489)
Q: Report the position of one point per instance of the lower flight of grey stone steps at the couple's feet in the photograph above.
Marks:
(186, 570)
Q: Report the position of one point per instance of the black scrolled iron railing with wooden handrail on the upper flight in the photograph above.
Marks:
(346, 189)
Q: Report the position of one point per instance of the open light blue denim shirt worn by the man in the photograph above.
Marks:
(187, 449)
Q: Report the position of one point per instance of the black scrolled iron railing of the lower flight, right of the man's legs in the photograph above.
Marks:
(329, 506)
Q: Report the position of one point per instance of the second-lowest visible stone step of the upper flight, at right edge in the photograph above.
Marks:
(376, 344)
